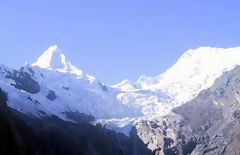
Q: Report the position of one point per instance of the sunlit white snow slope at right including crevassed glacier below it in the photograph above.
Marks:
(195, 71)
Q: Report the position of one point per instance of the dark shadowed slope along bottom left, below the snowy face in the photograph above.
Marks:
(25, 135)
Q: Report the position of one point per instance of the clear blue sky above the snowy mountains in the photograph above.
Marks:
(116, 39)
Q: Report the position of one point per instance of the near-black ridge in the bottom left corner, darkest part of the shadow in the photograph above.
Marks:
(15, 136)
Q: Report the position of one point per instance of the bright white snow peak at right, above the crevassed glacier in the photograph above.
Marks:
(196, 70)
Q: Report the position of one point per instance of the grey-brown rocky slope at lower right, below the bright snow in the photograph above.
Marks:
(209, 124)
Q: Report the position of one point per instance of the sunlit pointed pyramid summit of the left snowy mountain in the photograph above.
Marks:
(54, 59)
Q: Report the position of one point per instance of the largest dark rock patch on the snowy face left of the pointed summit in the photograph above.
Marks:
(24, 80)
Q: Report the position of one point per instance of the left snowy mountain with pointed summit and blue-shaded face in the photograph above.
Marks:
(53, 86)
